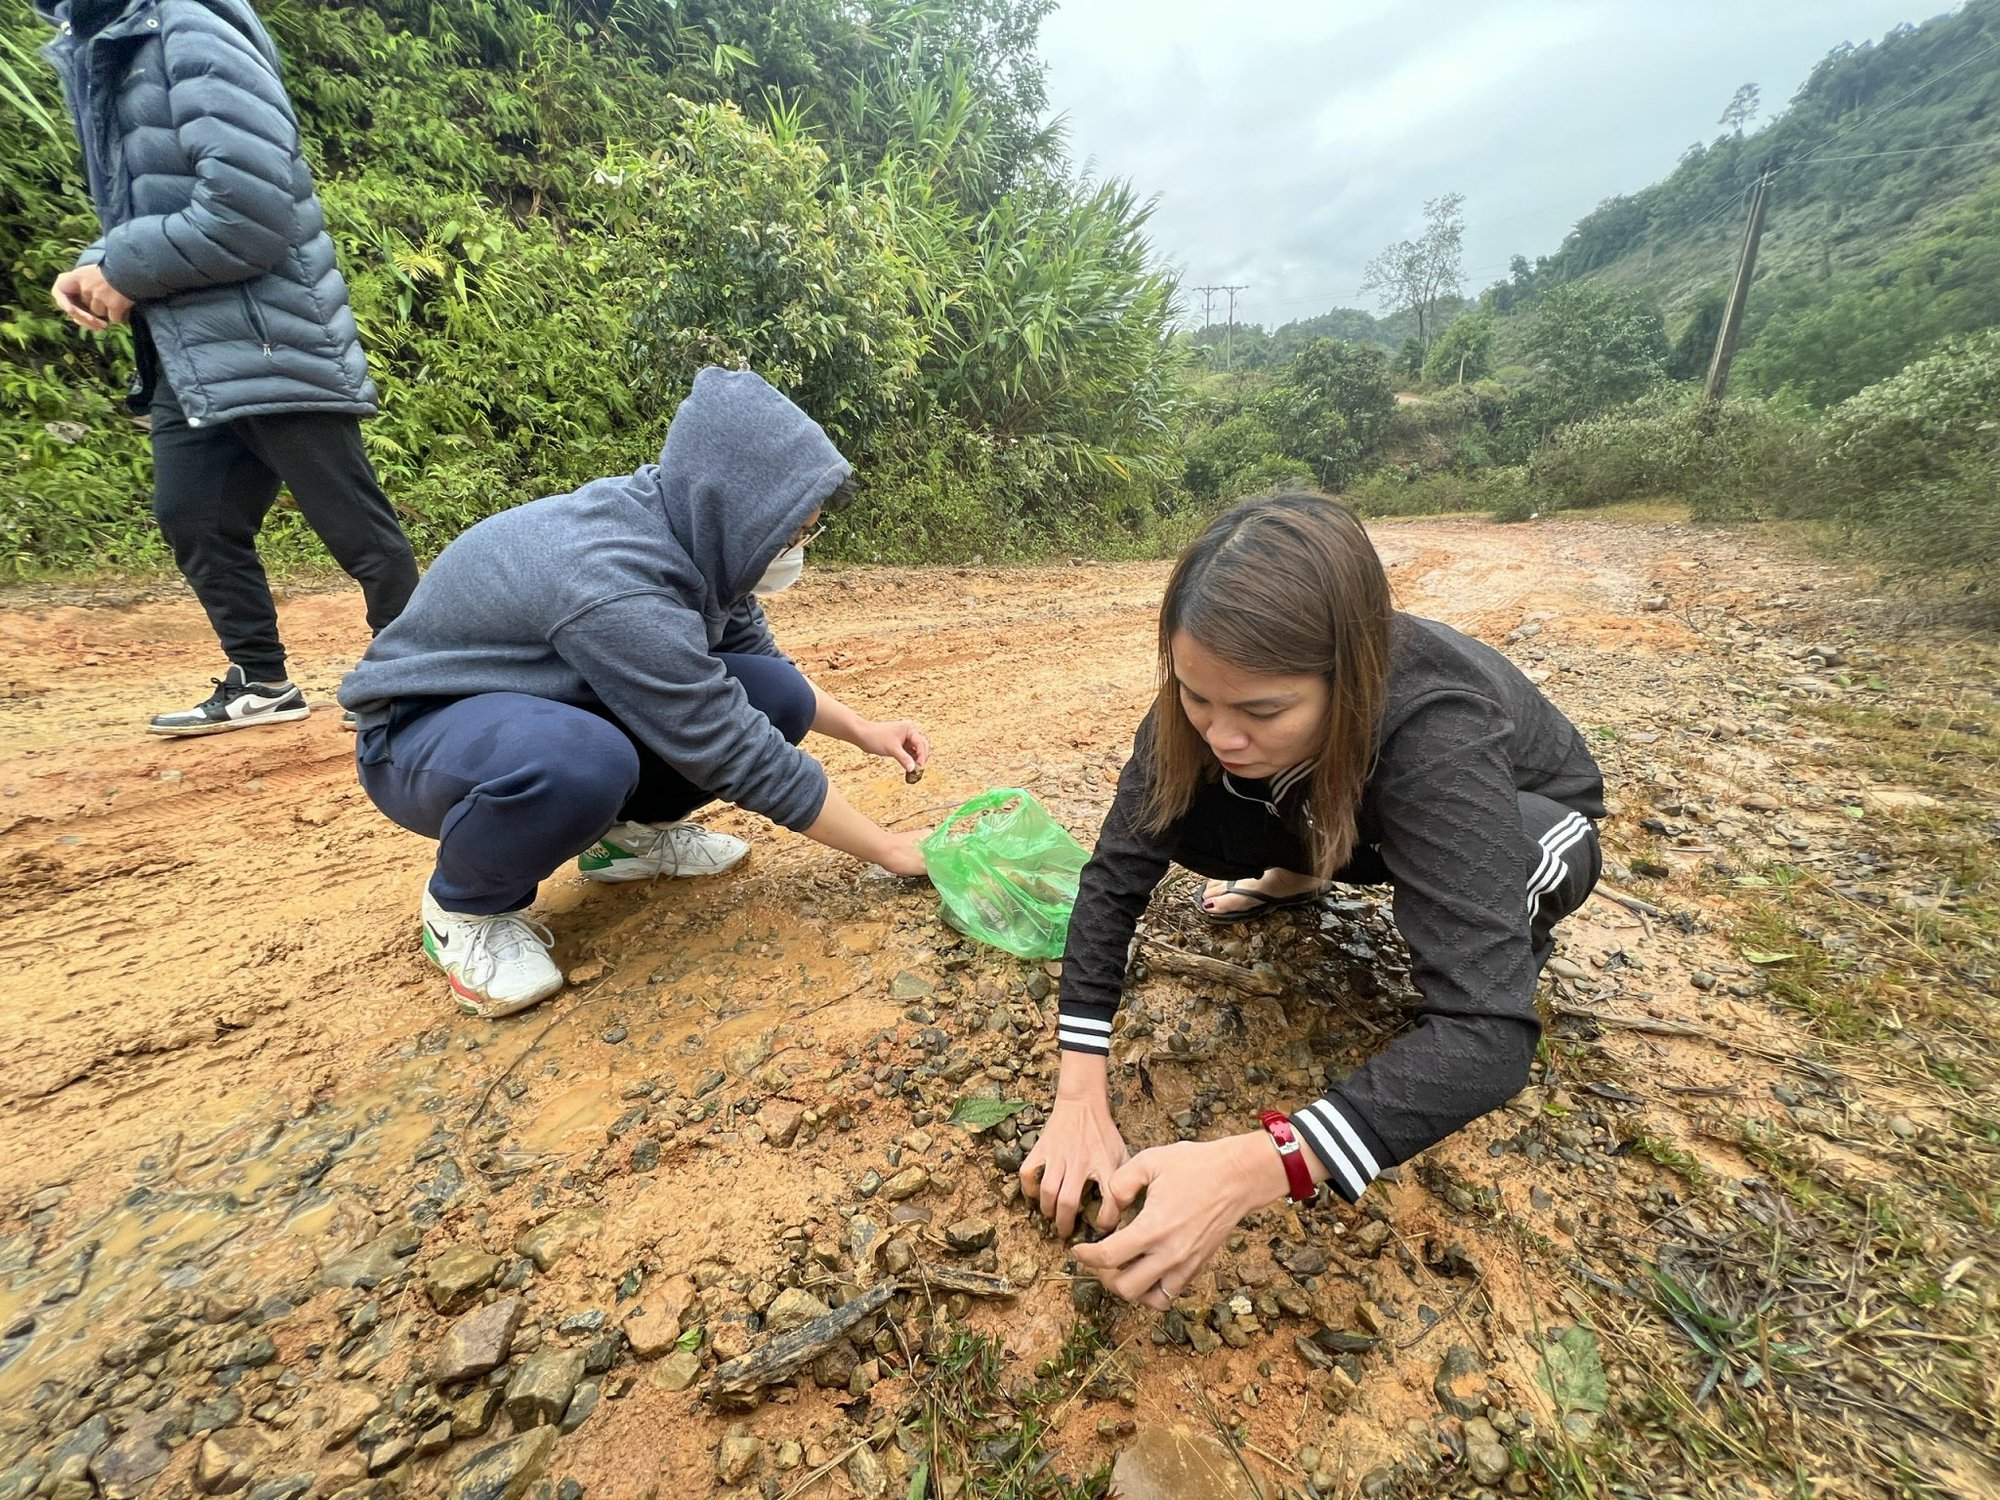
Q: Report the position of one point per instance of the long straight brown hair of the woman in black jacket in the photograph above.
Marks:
(1285, 585)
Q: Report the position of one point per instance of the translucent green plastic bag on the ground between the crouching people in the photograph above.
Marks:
(1007, 873)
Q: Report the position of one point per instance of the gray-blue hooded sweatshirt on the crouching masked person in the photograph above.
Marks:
(625, 591)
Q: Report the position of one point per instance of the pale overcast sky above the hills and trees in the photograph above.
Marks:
(1289, 141)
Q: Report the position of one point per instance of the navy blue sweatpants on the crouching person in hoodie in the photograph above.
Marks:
(511, 785)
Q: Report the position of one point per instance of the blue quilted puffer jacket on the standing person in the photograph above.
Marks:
(211, 221)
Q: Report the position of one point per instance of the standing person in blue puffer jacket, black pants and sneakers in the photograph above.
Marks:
(215, 249)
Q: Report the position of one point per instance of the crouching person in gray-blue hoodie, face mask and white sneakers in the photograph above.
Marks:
(577, 675)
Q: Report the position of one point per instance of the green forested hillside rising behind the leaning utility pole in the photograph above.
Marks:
(1883, 229)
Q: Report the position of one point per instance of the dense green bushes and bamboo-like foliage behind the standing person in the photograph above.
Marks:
(553, 213)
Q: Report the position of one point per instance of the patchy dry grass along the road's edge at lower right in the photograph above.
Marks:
(1833, 1325)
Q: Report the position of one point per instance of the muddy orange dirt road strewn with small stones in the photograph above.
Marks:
(245, 1129)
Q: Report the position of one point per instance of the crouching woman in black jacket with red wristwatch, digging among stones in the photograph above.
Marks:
(1309, 733)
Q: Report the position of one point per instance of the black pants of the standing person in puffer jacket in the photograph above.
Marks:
(213, 489)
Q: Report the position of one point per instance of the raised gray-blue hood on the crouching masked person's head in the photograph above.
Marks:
(741, 473)
